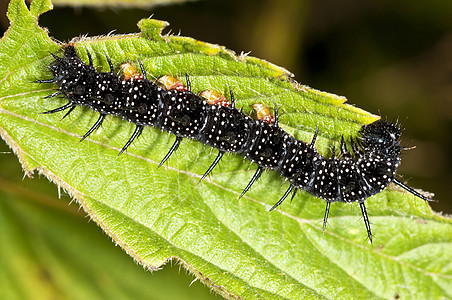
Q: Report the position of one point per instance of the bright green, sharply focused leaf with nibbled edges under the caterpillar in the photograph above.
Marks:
(234, 247)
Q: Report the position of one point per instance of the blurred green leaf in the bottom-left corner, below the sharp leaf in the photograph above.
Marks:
(49, 250)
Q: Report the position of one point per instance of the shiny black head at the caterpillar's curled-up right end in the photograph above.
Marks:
(382, 137)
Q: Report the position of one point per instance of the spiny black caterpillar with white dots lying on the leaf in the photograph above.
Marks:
(352, 177)
